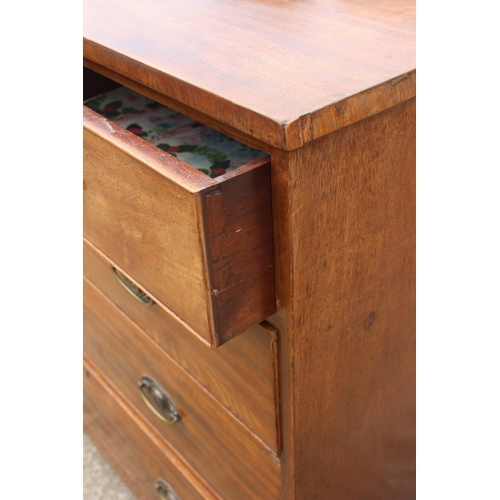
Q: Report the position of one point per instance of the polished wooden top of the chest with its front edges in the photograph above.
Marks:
(285, 72)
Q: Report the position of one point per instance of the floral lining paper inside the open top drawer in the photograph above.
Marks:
(200, 146)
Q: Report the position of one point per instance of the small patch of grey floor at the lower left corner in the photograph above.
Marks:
(99, 480)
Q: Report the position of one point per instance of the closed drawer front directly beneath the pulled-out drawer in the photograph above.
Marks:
(224, 372)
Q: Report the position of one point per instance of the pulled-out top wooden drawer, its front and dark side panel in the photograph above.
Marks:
(201, 247)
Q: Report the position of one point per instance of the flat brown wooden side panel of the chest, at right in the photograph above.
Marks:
(345, 259)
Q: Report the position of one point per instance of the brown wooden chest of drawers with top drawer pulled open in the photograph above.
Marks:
(250, 335)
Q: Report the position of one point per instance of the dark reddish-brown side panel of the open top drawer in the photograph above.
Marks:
(240, 249)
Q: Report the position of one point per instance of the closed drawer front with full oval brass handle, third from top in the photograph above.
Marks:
(224, 452)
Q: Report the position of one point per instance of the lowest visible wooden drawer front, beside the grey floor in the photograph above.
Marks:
(132, 448)
